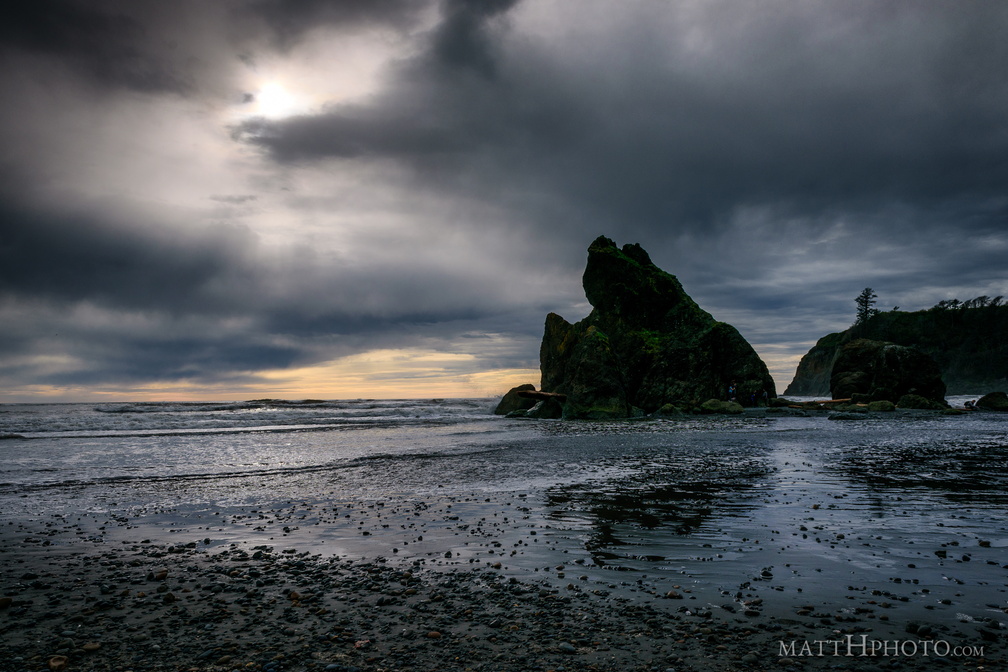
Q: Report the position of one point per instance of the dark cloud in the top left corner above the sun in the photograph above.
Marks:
(177, 48)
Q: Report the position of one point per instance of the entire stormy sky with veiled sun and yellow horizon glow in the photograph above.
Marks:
(385, 198)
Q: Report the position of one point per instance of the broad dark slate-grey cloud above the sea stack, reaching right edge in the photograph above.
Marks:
(806, 107)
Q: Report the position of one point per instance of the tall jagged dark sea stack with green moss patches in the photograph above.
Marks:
(646, 345)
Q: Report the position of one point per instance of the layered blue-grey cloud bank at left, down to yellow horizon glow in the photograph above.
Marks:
(141, 303)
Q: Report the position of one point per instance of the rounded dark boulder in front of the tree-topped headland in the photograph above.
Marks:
(876, 371)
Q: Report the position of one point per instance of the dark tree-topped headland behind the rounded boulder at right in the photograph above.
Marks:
(969, 346)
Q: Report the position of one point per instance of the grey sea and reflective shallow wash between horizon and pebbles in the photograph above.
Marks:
(807, 511)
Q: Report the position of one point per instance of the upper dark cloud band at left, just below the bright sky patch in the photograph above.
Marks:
(221, 273)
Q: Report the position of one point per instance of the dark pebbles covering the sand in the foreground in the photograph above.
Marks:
(278, 604)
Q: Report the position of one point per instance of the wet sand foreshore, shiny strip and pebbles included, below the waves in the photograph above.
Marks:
(467, 584)
